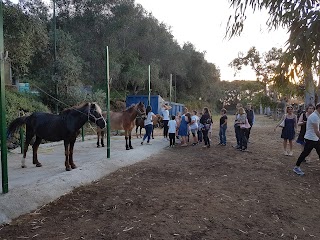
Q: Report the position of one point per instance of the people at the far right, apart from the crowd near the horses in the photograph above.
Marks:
(309, 134)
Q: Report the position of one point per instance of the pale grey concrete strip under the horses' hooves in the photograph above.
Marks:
(32, 187)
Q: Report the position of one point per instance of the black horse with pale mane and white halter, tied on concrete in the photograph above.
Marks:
(65, 126)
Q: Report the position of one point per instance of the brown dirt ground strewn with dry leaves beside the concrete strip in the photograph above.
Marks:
(190, 193)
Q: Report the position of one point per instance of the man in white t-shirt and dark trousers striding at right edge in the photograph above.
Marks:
(311, 137)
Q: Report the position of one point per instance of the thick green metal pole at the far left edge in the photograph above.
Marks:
(4, 160)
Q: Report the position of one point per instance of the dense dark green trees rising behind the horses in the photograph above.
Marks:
(136, 39)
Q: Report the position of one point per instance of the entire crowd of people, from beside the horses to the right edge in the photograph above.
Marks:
(197, 126)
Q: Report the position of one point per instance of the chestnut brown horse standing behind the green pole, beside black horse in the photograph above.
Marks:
(123, 121)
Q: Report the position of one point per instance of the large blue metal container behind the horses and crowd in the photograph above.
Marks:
(155, 101)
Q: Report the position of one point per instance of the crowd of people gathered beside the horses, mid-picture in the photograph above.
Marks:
(196, 127)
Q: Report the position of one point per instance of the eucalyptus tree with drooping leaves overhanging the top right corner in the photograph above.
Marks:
(302, 20)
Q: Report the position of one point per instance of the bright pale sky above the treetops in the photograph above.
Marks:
(203, 23)
